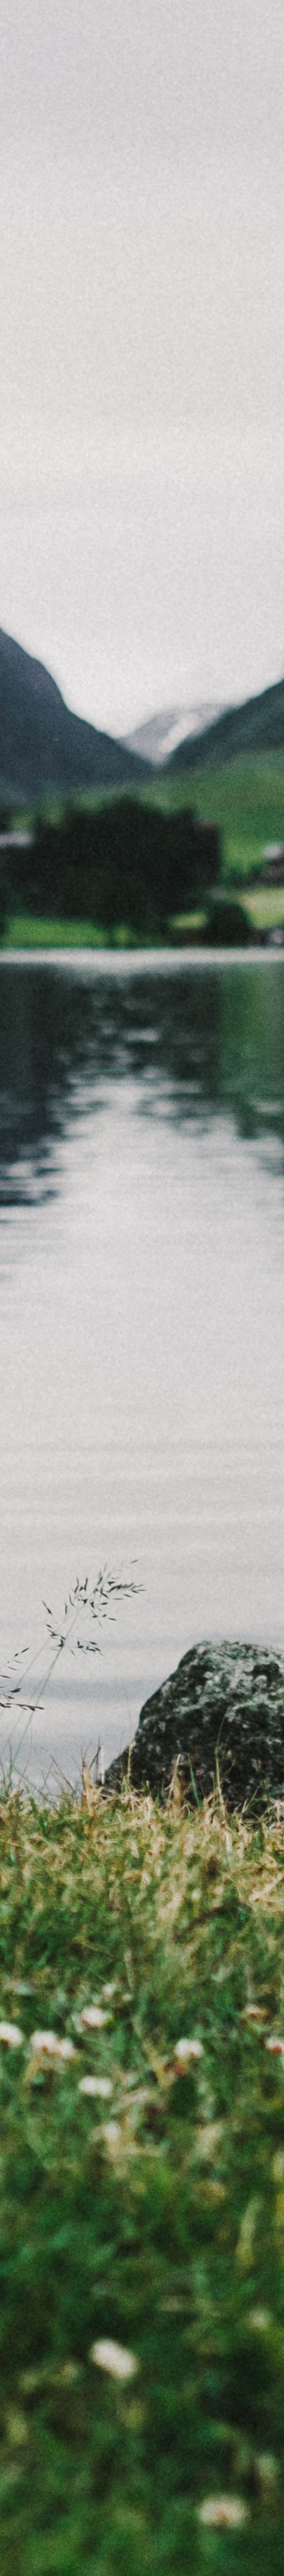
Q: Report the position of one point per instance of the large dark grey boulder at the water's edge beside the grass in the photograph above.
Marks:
(221, 1709)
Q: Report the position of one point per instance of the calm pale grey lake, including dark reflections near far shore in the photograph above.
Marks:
(141, 1318)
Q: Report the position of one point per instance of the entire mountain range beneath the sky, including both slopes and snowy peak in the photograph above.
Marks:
(48, 748)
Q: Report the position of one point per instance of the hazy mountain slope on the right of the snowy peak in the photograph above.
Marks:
(244, 730)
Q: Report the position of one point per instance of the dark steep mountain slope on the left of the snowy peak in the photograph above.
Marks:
(40, 738)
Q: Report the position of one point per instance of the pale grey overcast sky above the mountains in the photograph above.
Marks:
(143, 346)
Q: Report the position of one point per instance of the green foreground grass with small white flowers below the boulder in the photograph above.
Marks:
(146, 2219)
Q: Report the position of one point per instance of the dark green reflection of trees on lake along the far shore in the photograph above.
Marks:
(198, 1042)
